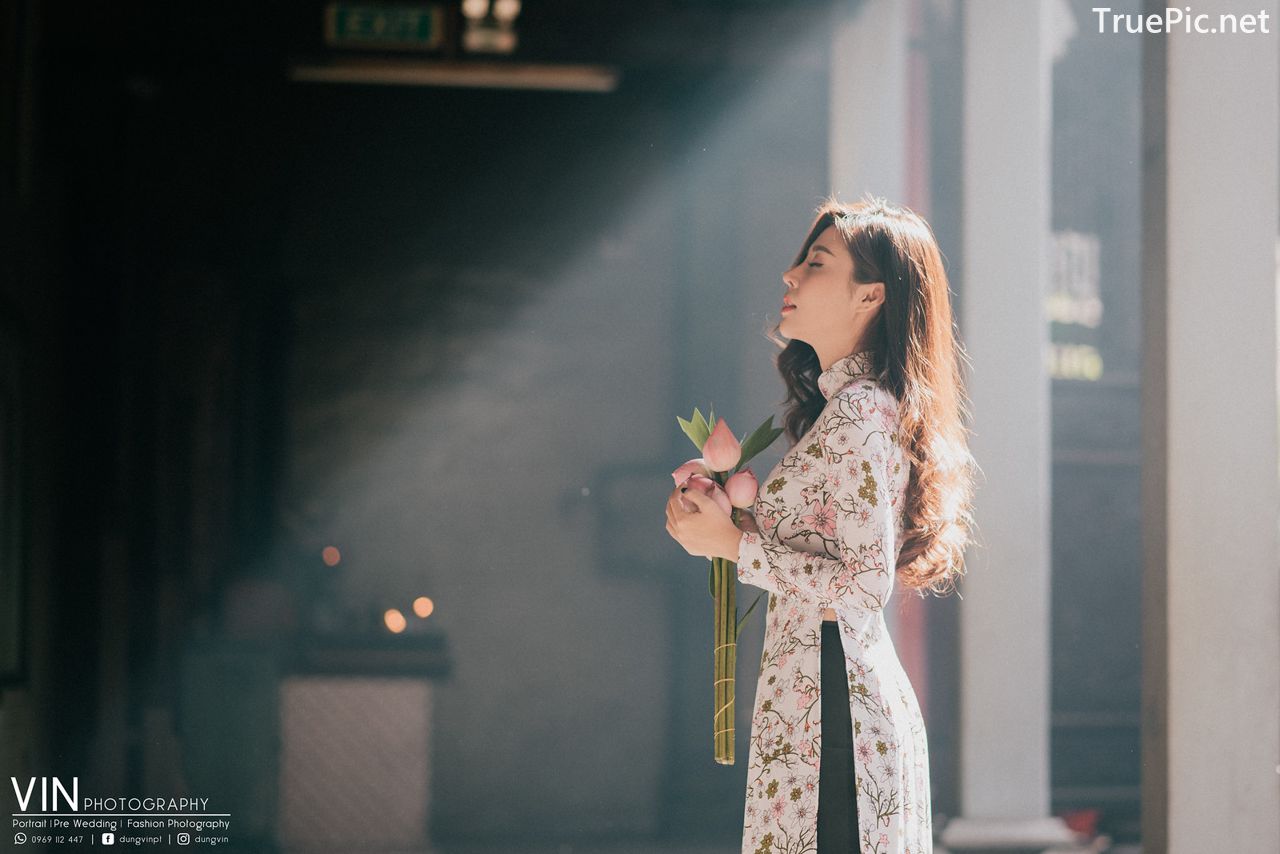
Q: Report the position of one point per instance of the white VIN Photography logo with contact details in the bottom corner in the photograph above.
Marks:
(53, 812)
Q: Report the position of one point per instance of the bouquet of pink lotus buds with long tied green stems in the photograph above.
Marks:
(723, 476)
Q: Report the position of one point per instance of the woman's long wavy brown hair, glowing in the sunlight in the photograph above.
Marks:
(917, 357)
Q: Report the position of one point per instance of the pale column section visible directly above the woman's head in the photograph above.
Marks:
(868, 102)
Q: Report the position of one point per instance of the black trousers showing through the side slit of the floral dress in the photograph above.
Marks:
(838, 803)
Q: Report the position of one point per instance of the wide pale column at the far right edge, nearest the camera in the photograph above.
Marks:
(1213, 574)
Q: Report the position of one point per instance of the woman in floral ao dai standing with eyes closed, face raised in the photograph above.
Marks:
(876, 487)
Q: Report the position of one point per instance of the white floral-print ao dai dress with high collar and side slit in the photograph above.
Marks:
(831, 523)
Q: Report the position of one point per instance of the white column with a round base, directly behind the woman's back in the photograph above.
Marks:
(1005, 614)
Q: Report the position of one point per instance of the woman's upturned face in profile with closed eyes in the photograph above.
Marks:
(821, 305)
